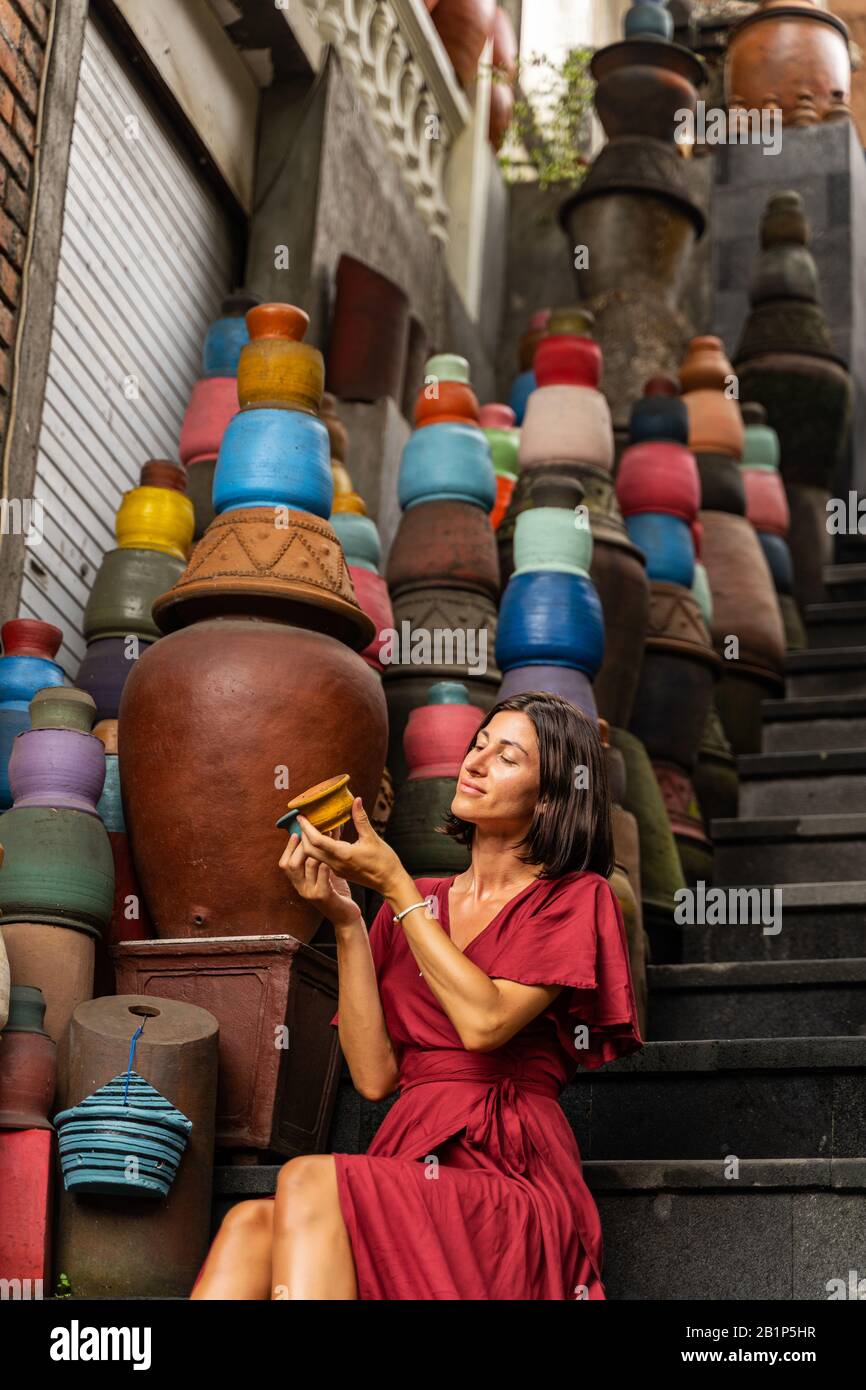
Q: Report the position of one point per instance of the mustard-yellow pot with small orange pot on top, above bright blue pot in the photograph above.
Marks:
(276, 369)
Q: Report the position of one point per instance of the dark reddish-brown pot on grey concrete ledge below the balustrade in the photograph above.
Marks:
(369, 334)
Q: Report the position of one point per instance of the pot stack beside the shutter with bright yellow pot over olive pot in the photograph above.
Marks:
(155, 525)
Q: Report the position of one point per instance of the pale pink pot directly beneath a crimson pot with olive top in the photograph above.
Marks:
(566, 425)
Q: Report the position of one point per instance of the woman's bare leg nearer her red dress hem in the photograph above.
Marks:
(312, 1249)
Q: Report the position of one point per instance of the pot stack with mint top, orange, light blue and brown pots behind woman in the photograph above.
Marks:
(443, 569)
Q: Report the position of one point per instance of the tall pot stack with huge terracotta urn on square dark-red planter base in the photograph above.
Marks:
(258, 692)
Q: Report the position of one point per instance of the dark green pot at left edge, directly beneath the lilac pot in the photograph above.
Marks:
(59, 869)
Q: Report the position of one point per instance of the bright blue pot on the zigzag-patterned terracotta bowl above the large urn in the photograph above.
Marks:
(275, 459)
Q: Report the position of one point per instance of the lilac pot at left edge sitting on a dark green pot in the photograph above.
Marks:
(62, 768)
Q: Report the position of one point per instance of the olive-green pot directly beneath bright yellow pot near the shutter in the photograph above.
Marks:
(124, 590)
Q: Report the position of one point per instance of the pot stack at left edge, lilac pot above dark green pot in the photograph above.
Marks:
(58, 876)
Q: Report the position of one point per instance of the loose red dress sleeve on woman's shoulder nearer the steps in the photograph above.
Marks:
(578, 939)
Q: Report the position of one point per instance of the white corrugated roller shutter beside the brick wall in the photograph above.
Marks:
(147, 256)
